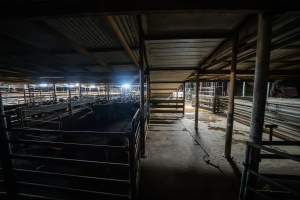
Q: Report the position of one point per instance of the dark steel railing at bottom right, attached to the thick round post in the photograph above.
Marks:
(252, 180)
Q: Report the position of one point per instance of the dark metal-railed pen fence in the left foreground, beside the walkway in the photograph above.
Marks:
(45, 164)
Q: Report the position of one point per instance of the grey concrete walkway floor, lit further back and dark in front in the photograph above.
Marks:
(183, 164)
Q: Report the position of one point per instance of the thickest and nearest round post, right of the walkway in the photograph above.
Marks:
(259, 93)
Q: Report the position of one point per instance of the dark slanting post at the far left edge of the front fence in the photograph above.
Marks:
(5, 151)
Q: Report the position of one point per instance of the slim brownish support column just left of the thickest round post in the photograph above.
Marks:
(230, 112)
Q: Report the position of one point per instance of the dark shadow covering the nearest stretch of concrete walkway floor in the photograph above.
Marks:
(161, 182)
